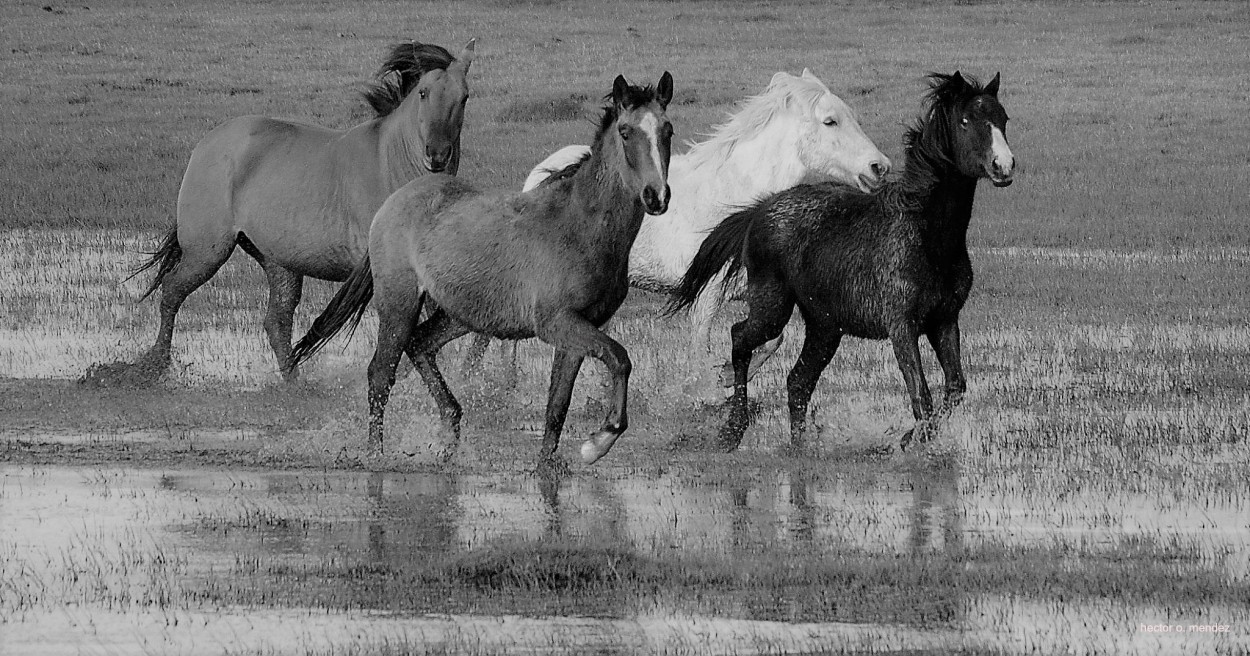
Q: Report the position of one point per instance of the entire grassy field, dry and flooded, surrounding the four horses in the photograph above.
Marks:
(1094, 480)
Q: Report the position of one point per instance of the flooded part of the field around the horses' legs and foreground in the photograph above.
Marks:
(1091, 493)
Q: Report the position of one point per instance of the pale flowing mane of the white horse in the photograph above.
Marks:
(757, 113)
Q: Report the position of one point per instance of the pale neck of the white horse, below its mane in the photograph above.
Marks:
(746, 168)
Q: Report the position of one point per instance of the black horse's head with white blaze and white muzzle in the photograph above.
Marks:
(977, 124)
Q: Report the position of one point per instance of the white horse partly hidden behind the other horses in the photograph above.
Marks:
(796, 129)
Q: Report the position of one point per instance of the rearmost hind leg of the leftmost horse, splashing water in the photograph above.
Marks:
(194, 269)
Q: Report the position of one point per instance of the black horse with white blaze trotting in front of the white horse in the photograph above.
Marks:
(891, 264)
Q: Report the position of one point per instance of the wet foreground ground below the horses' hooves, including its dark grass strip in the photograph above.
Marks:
(877, 554)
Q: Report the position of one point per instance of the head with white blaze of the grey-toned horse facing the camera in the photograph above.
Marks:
(643, 134)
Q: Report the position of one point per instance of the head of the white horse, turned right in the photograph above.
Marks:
(829, 138)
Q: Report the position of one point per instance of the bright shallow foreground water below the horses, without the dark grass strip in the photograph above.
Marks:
(143, 562)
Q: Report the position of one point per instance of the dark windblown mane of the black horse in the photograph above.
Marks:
(927, 142)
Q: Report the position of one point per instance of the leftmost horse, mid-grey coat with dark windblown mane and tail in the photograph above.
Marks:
(299, 198)
